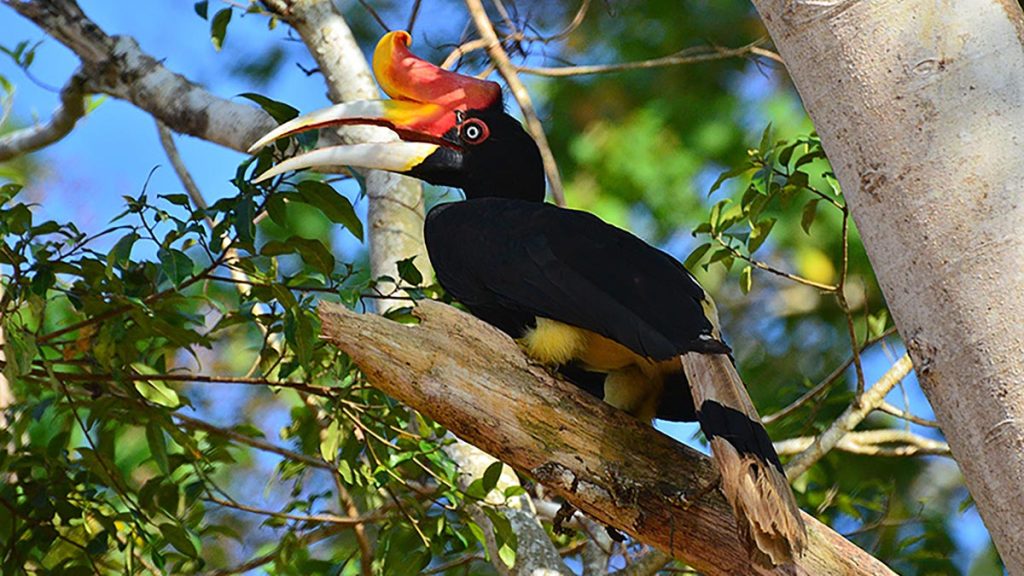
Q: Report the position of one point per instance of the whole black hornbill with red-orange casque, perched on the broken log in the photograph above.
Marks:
(613, 314)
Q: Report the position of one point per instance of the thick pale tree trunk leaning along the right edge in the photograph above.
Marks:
(921, 108)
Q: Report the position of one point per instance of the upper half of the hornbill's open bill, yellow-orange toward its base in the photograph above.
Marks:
(389, 112)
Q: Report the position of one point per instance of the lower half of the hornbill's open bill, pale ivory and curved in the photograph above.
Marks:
(395, 157)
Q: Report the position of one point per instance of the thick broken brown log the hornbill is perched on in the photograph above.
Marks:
(474, 380)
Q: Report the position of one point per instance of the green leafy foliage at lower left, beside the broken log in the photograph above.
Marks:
(102, 349)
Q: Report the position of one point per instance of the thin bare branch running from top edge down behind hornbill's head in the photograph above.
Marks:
(511, 76)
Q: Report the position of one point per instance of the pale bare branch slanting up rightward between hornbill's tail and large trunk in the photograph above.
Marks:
(852, 417)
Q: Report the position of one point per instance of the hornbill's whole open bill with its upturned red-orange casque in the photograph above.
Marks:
(426, 108)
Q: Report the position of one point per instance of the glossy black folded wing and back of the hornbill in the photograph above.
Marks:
(510, 262)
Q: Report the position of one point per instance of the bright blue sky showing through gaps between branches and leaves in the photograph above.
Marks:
(112, 152)
